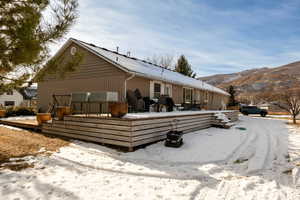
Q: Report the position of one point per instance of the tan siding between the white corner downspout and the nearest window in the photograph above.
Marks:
(142, 84)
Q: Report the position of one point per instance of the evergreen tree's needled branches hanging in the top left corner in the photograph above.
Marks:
(27, 28)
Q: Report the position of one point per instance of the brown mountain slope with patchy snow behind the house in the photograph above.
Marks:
(257, 81)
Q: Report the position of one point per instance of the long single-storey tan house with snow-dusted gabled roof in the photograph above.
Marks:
(105, 70)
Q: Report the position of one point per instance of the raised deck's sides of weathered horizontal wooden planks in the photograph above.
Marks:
(129, 132)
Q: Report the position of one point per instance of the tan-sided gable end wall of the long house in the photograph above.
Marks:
(93, 74)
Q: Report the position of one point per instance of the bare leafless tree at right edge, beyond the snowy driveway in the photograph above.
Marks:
(289, 101)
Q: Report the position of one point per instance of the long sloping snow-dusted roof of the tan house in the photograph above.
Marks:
(147, 69)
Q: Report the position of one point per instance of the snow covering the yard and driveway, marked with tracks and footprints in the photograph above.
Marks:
(212, 164)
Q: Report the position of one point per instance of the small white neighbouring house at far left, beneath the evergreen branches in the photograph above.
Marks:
(11, 98)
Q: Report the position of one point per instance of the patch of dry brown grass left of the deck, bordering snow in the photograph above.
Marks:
(17, 144)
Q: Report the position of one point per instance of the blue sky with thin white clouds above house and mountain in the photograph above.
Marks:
(216, 36)
